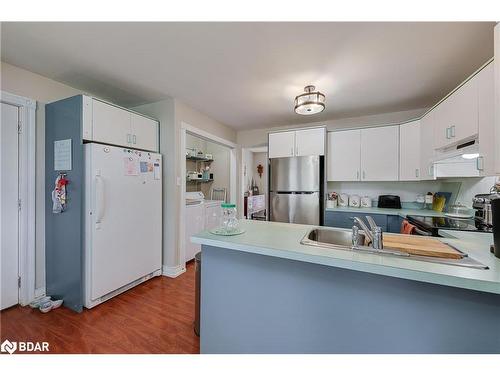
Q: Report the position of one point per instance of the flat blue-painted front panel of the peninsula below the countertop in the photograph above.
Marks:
(260, 304)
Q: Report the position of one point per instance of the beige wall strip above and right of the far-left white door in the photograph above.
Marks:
(44, 90)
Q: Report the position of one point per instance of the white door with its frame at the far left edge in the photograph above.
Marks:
(17, 200)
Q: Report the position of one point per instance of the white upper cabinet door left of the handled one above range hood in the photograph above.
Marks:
(427, 125)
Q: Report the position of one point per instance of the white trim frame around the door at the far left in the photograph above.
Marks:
(27, 191)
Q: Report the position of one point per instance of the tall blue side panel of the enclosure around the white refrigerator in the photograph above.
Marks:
(64, 231)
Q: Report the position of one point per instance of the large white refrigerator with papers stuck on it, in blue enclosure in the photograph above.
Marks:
(123, 216)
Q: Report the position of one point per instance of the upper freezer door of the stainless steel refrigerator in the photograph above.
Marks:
(295, 174)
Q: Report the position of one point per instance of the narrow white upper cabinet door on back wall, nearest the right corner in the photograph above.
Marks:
(409, 151)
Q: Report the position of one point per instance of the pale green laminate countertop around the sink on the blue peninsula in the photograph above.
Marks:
(282, 240)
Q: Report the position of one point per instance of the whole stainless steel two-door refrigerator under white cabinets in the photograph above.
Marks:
(296, 189)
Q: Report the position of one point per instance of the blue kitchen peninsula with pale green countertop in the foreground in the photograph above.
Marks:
(265, 292)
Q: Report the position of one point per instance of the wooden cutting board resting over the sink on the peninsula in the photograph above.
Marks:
(420, 245)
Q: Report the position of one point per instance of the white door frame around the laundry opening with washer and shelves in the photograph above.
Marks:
(233, 148)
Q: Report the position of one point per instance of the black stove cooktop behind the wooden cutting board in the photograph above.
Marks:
(431, 225)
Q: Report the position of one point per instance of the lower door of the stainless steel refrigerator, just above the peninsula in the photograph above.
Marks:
(298, 208)
